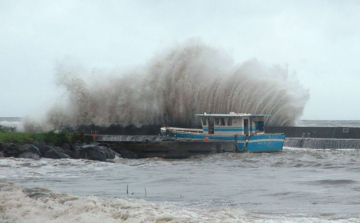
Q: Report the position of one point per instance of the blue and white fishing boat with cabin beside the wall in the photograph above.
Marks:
(246, 130)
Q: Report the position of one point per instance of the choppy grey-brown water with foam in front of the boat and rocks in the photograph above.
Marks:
(295, 185)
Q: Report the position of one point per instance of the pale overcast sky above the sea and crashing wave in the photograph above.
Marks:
(319, 40)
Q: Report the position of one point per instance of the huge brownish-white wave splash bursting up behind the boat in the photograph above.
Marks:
(176, 84)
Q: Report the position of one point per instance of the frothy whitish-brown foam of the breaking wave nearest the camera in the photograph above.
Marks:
(41, 205)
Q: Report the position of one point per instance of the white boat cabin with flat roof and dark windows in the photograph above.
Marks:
(233, 123)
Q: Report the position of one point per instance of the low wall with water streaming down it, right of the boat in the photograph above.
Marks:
(322, 143)
